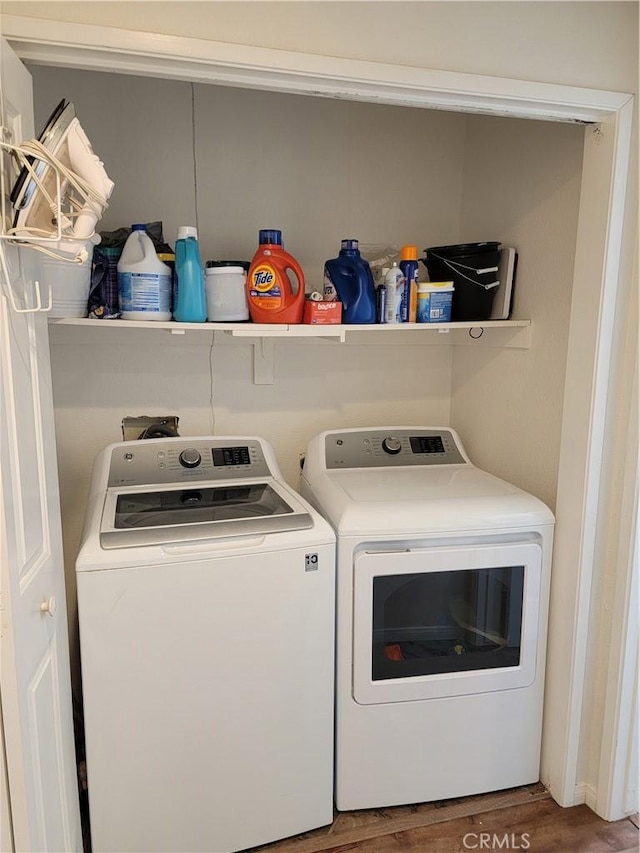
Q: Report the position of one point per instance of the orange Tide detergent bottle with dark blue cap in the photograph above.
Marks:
(270, 294)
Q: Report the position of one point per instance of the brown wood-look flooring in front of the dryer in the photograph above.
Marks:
(521, 819)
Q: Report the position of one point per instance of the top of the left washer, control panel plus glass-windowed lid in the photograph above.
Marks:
(184, 490)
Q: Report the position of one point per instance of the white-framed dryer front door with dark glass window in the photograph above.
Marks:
(445, 621)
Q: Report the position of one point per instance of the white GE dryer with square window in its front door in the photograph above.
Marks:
(442, 594)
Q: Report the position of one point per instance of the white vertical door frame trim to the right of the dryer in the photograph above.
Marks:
(580, 521)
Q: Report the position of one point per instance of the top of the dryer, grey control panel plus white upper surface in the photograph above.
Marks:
(410, 481)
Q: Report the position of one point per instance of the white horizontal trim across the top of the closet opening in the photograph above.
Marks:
(198, 60)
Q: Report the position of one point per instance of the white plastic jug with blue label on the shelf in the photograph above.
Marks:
(144, 282)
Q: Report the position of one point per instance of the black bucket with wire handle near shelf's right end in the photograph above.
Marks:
(473, 268)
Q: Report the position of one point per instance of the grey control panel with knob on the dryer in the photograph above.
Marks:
(392, 448)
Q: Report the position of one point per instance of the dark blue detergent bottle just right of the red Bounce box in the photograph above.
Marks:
(350, 277)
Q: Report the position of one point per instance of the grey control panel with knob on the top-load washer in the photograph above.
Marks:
(138, 463)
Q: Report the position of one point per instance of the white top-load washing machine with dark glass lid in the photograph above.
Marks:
(206, 594)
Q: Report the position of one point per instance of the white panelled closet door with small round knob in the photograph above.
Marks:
(35, 686)
